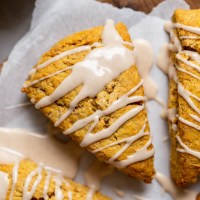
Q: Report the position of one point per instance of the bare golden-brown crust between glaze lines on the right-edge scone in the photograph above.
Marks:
(185, 168)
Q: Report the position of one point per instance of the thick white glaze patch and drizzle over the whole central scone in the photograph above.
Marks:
(98, 68)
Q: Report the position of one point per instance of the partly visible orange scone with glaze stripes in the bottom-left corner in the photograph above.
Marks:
(56, 185)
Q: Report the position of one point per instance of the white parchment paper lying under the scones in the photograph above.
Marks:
(52, 20)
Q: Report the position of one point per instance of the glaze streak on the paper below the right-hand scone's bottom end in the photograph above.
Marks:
(170, 187)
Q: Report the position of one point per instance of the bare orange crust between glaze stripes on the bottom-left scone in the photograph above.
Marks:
(26, 167)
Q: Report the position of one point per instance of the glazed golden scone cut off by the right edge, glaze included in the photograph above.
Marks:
(184, 96)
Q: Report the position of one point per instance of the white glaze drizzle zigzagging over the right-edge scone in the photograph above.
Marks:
(184, 93)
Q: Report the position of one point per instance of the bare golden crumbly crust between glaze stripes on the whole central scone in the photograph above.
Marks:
(143, 170)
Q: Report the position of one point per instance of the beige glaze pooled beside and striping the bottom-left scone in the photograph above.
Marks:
(56, 154)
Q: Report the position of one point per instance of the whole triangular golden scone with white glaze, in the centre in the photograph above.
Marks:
(118, 109)
